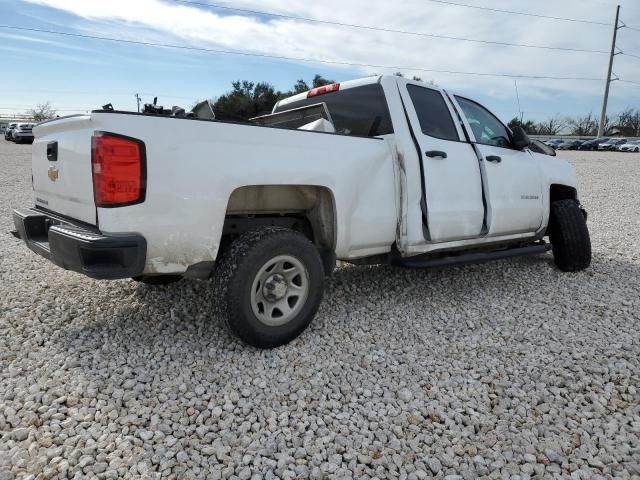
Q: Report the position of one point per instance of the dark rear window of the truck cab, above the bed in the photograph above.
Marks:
(355, 111)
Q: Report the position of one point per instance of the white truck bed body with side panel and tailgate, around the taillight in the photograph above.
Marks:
(192, 168)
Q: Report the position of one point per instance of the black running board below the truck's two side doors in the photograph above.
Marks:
(423, 261)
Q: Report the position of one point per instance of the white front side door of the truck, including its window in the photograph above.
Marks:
(513, 183)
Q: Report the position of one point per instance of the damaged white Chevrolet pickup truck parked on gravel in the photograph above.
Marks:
(402, 173)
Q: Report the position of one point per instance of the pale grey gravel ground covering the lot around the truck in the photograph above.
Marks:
(505, 370)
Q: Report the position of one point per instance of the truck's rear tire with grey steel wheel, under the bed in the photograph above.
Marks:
(260, 306)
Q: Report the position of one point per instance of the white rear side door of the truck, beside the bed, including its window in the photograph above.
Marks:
(452, 185)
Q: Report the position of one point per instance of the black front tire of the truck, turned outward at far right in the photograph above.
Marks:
(569, 236)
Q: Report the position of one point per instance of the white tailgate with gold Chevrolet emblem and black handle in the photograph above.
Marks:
(61, 167)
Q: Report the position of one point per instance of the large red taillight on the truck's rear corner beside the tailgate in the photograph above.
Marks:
(119, 170)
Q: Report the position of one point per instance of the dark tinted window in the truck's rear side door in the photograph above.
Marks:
(433, 114)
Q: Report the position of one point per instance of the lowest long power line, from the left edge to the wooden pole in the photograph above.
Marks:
(298, 59)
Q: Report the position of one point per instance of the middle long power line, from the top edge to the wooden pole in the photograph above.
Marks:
(388, 30)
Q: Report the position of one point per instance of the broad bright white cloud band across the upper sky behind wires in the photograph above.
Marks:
(174, 22)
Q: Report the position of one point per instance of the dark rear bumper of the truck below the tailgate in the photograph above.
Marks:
(81, 248)
